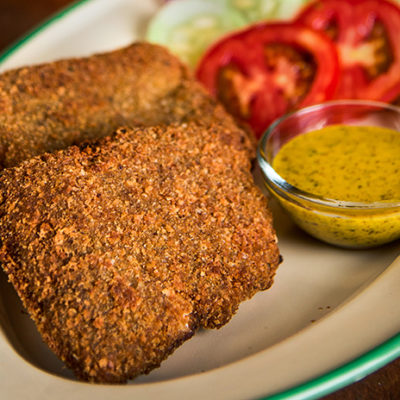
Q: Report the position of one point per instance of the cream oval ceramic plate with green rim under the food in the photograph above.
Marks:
(331, 317)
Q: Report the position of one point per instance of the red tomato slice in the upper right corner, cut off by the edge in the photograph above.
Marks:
(366, 33)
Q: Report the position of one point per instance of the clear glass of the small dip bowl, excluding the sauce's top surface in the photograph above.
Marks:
(342, 223)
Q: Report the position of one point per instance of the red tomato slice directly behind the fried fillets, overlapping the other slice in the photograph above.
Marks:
(262, 72)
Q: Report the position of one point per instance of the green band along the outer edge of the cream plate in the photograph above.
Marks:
(315, 388)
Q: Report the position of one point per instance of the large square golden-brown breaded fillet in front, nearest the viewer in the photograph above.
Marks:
(122, 248)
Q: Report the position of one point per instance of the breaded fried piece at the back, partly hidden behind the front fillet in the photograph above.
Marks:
(51, 106)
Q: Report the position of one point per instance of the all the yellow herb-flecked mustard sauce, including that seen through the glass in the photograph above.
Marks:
(345, 163)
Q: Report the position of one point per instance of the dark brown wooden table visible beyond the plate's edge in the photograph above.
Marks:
(19, 16)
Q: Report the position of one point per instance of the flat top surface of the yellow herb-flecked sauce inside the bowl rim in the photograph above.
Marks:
(351, 163)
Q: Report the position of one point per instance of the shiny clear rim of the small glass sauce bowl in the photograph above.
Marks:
(277, 184)
